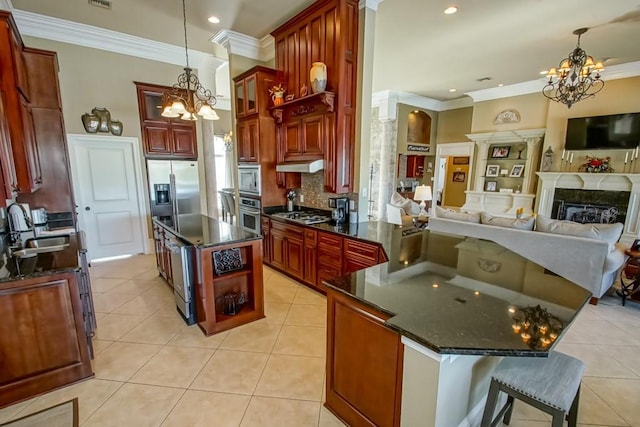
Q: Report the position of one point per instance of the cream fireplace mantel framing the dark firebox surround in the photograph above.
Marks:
(549, 181)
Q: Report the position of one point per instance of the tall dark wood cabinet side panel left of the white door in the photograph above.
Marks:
(56, 191)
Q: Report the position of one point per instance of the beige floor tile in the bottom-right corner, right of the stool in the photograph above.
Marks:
(621, 395)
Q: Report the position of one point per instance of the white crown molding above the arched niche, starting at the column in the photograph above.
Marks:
(387, 101)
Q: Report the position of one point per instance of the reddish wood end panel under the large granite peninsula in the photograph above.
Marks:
(364, 364)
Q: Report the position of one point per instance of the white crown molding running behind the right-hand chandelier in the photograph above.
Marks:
(621, 71)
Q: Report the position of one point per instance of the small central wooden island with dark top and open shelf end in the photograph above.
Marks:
(226, 270)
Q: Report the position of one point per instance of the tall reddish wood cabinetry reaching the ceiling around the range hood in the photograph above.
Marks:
(327, 31)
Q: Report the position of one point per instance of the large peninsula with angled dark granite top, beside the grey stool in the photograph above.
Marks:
(413, 341)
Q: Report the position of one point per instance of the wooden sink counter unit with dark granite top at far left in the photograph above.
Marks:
(46, 318)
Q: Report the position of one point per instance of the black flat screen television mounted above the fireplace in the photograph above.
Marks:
(603, 132)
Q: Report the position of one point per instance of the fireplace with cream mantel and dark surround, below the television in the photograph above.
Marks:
(588, 196)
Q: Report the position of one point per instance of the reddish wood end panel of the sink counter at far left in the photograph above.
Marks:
(43, 340)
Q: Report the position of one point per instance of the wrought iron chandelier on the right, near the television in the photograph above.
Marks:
(576, 78)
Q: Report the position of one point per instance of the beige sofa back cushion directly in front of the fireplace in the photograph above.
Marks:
(609, 233)
